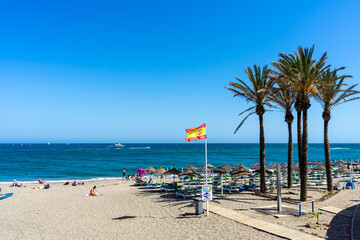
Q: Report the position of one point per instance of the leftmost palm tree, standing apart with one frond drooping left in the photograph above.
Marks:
(257, 93)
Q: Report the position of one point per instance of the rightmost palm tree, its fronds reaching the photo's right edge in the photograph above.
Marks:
(330, 93)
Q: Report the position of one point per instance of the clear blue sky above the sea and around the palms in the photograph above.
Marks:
(143, 71)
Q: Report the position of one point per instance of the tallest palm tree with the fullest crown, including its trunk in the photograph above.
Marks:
(303, 72)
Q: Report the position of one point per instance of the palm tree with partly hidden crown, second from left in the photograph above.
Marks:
(284, 99)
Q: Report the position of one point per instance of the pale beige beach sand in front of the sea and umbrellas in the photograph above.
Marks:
(127, 211)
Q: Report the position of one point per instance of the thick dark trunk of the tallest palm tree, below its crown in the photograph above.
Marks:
(304, 167)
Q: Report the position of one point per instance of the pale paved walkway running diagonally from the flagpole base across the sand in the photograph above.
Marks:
(261, 225)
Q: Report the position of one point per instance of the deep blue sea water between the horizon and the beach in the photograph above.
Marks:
(57, 162)
